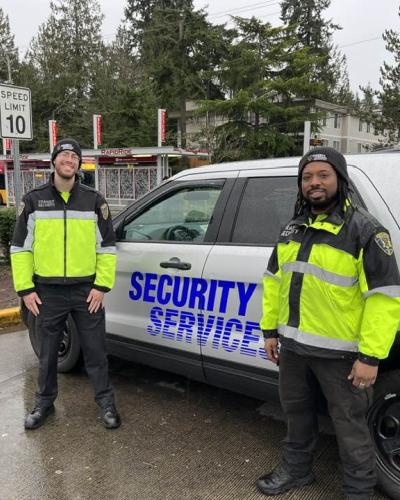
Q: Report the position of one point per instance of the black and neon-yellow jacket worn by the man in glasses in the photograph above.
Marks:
(58, 242)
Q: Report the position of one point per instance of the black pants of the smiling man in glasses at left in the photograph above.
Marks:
(57, 302)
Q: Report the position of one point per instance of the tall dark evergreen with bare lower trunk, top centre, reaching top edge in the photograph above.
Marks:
(178, 51)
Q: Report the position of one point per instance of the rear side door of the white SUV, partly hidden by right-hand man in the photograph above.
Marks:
(261, 203)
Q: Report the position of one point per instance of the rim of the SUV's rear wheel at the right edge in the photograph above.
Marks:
(384, 424)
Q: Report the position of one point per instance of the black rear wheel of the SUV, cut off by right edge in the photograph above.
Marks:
(384, 424)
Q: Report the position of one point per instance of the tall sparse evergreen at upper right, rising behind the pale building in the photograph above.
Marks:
(314, 32)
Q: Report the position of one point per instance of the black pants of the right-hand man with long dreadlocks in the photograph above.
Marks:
(347, 406)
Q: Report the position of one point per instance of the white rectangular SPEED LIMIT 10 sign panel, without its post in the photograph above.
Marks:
(15, 112)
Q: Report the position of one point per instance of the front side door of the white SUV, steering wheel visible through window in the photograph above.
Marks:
(162, 244)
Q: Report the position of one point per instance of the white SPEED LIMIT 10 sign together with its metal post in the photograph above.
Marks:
(16, 123)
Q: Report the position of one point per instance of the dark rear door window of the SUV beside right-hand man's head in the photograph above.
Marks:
(267, 205)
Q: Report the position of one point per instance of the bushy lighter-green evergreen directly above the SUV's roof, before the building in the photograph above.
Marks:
(269, 83)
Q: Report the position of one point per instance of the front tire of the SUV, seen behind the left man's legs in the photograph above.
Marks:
(69, 353)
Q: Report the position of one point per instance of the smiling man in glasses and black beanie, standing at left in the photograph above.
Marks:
(63, 262)
